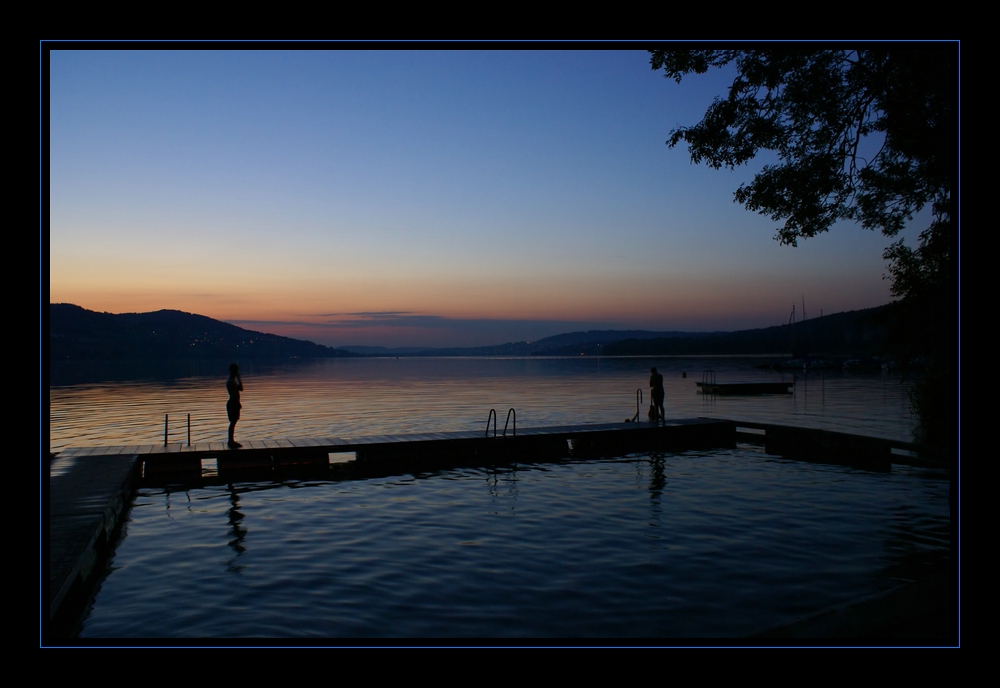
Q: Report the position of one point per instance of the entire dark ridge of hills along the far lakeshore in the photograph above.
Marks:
(79, 334)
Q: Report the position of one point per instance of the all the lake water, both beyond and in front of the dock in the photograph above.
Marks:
(695, 544)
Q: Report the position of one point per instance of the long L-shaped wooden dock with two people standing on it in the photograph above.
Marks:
(90, 488)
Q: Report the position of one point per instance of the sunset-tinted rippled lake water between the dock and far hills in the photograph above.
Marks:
(348, 397)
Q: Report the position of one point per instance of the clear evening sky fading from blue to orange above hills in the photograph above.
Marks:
(417, 198)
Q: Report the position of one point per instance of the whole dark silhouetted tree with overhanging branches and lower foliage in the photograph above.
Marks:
(863, 135)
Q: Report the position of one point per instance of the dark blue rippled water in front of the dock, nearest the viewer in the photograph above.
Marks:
(717, 544)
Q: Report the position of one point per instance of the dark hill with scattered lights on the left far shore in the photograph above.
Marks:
(78, 334)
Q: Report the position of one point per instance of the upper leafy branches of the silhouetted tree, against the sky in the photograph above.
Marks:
(861, 135)
